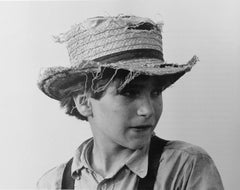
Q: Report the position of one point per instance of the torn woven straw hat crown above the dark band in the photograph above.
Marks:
(103, 36)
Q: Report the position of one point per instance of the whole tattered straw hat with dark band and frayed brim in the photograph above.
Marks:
(123, 42)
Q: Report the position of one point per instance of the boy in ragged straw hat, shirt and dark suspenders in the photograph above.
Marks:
(115, 82)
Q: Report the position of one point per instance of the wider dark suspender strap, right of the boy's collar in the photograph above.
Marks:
(155, 152)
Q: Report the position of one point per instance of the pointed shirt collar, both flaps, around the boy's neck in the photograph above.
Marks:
(137, 162)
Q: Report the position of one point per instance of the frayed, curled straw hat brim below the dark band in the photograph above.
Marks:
(55, 81)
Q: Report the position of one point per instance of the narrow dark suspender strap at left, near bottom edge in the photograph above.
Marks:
(67, 180)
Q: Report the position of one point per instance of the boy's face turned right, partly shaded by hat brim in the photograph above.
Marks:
(127, 118)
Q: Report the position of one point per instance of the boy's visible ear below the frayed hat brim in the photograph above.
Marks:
(84, 108)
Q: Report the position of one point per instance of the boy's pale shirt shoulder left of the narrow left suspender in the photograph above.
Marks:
(52, 179)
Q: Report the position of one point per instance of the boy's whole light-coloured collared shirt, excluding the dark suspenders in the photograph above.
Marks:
(182, 167)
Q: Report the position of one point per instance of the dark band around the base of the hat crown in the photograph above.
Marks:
(131, 54)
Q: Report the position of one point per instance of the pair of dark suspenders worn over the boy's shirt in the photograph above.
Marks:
(155, 152)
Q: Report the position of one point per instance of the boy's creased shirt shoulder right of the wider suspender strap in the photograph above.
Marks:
(185, 164)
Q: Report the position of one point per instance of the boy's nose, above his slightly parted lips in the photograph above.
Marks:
(146, 107)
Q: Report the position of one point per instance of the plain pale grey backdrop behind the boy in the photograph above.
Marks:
(201, 108)
